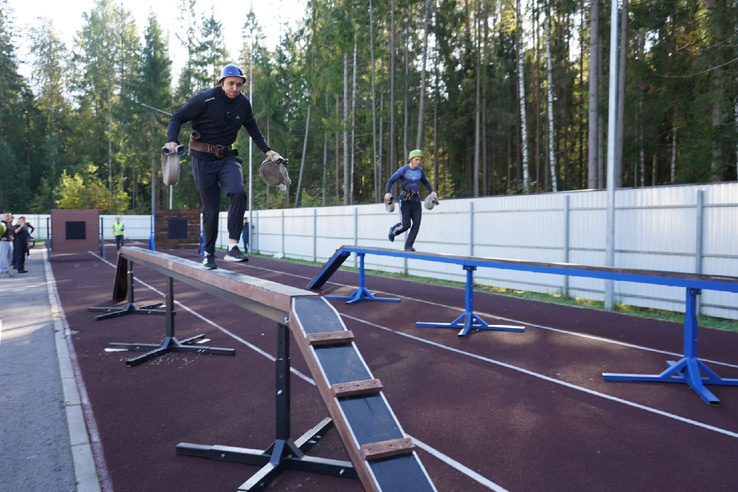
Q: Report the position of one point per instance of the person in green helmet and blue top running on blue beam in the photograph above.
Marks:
(410, 175)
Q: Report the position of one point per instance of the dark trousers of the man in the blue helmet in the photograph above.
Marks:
(210, 178)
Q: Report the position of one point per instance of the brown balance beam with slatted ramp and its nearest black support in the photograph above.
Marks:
(382, 456)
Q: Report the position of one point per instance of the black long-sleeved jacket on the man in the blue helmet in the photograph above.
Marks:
(217, 119)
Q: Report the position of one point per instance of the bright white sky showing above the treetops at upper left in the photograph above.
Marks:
(67, 19)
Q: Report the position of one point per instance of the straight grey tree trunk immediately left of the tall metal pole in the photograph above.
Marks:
(594, 94)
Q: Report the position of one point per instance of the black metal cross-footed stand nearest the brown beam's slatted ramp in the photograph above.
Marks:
(284, 453)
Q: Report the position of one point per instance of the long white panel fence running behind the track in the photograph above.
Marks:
(691, 229)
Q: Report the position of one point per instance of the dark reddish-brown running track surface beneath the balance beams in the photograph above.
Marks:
(521, 412)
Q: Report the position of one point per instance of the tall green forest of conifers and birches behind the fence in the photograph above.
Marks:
(502, 96)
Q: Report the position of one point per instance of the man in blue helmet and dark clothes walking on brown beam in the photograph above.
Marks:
(217, 114)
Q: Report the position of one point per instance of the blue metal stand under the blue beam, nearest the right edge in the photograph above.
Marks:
(687, 370)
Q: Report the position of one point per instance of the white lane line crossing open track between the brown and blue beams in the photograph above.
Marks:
(552, 380)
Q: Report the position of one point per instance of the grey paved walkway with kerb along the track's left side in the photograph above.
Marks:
(44, 443)
